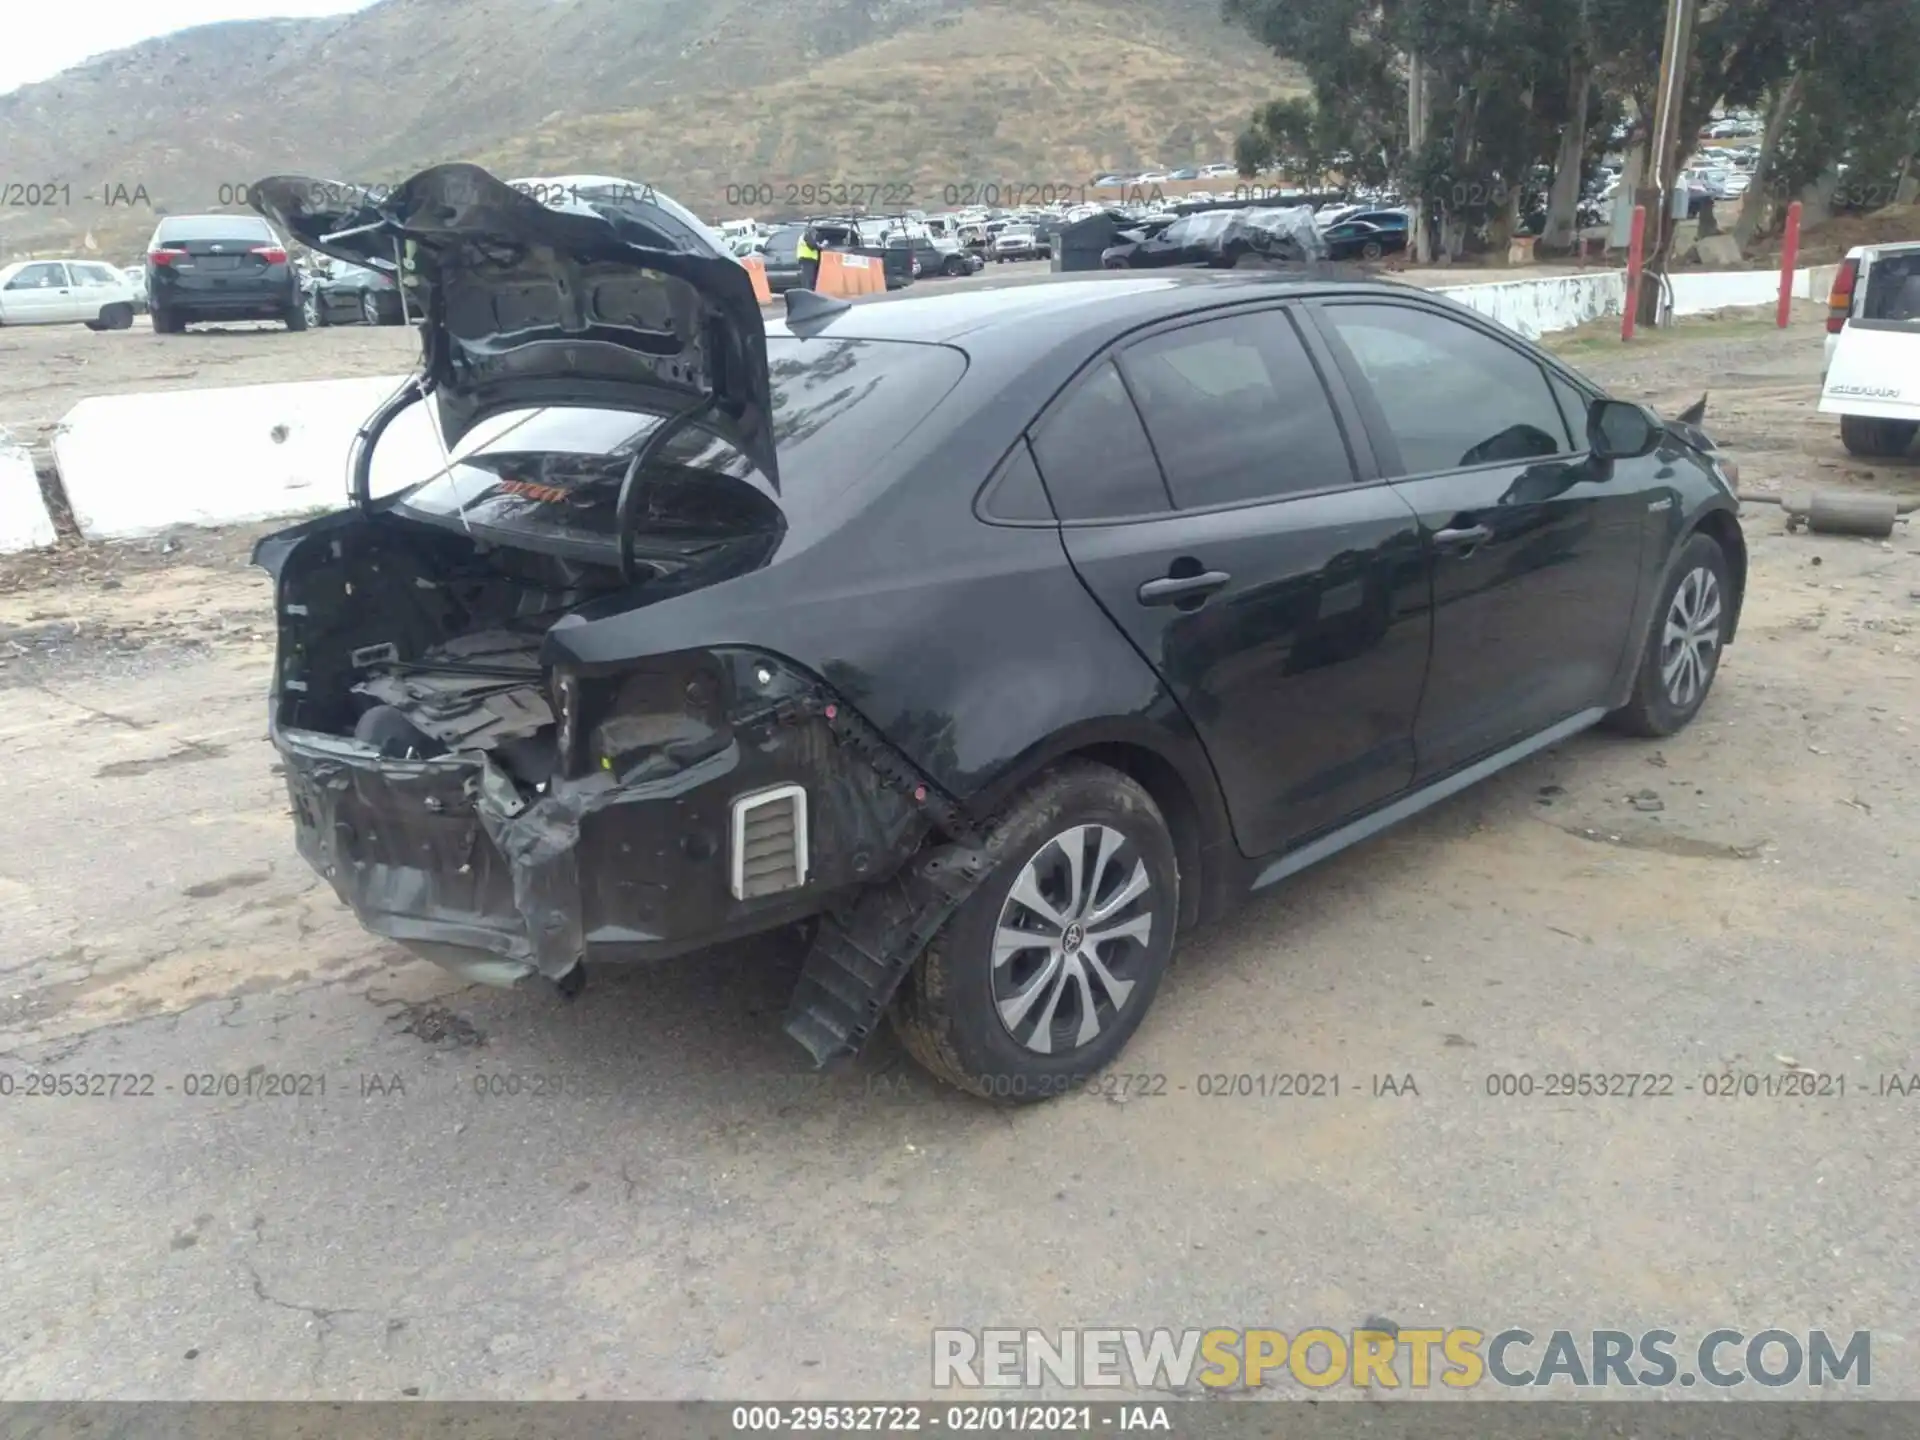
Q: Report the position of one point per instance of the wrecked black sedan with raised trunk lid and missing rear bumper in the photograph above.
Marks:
(1001, 636)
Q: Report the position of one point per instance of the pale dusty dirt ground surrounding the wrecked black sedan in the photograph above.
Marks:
(684, 1211)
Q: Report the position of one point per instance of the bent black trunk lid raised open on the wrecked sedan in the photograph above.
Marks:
(564, 293)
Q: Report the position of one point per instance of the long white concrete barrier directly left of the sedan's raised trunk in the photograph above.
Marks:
(135, 466)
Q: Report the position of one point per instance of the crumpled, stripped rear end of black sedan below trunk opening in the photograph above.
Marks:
(469, 867)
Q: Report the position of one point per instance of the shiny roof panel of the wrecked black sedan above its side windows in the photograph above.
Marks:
(1040, 306)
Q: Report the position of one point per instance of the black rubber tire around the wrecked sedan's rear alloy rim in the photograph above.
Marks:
(948, 1013)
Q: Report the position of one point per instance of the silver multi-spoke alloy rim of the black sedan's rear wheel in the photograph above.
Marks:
(1072, 940)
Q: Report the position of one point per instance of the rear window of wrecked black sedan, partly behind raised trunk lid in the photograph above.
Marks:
(550, 479)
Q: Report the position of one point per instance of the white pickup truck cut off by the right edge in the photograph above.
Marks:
(1873, 350)
